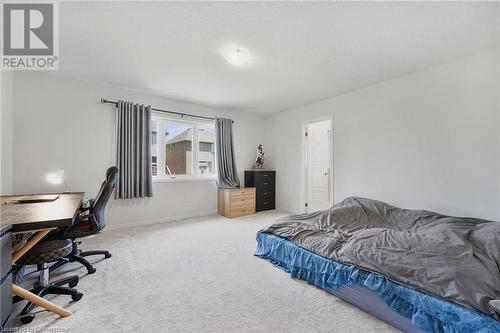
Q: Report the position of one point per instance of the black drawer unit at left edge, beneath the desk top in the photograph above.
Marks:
(5, 278)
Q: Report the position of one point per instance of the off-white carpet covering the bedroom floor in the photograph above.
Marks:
(192, 276)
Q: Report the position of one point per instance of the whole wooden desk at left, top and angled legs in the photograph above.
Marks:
(40, 218)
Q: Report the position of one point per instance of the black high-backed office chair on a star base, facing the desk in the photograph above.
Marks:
(90, 221)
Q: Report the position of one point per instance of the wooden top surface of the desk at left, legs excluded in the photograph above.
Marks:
(40, 215)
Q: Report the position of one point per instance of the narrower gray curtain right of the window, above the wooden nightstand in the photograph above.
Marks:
(227, 175)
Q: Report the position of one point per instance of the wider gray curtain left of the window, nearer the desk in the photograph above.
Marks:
(133, 151)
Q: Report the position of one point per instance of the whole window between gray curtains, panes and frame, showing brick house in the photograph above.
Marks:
(182, 149)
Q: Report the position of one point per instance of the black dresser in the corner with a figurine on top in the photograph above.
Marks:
(264, 182)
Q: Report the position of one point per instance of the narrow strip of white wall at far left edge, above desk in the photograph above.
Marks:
(7, 137)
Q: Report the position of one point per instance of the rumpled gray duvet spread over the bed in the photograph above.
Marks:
(455, 258)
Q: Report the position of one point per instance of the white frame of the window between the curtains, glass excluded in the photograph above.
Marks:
(161, 175)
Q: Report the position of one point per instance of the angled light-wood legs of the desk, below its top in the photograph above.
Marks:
(25, 294)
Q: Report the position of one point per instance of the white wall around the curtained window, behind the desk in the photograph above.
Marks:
(59, 123)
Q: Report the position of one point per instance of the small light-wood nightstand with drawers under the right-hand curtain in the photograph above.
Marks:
(236, 202)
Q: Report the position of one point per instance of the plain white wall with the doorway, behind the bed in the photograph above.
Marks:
(426, 140)
